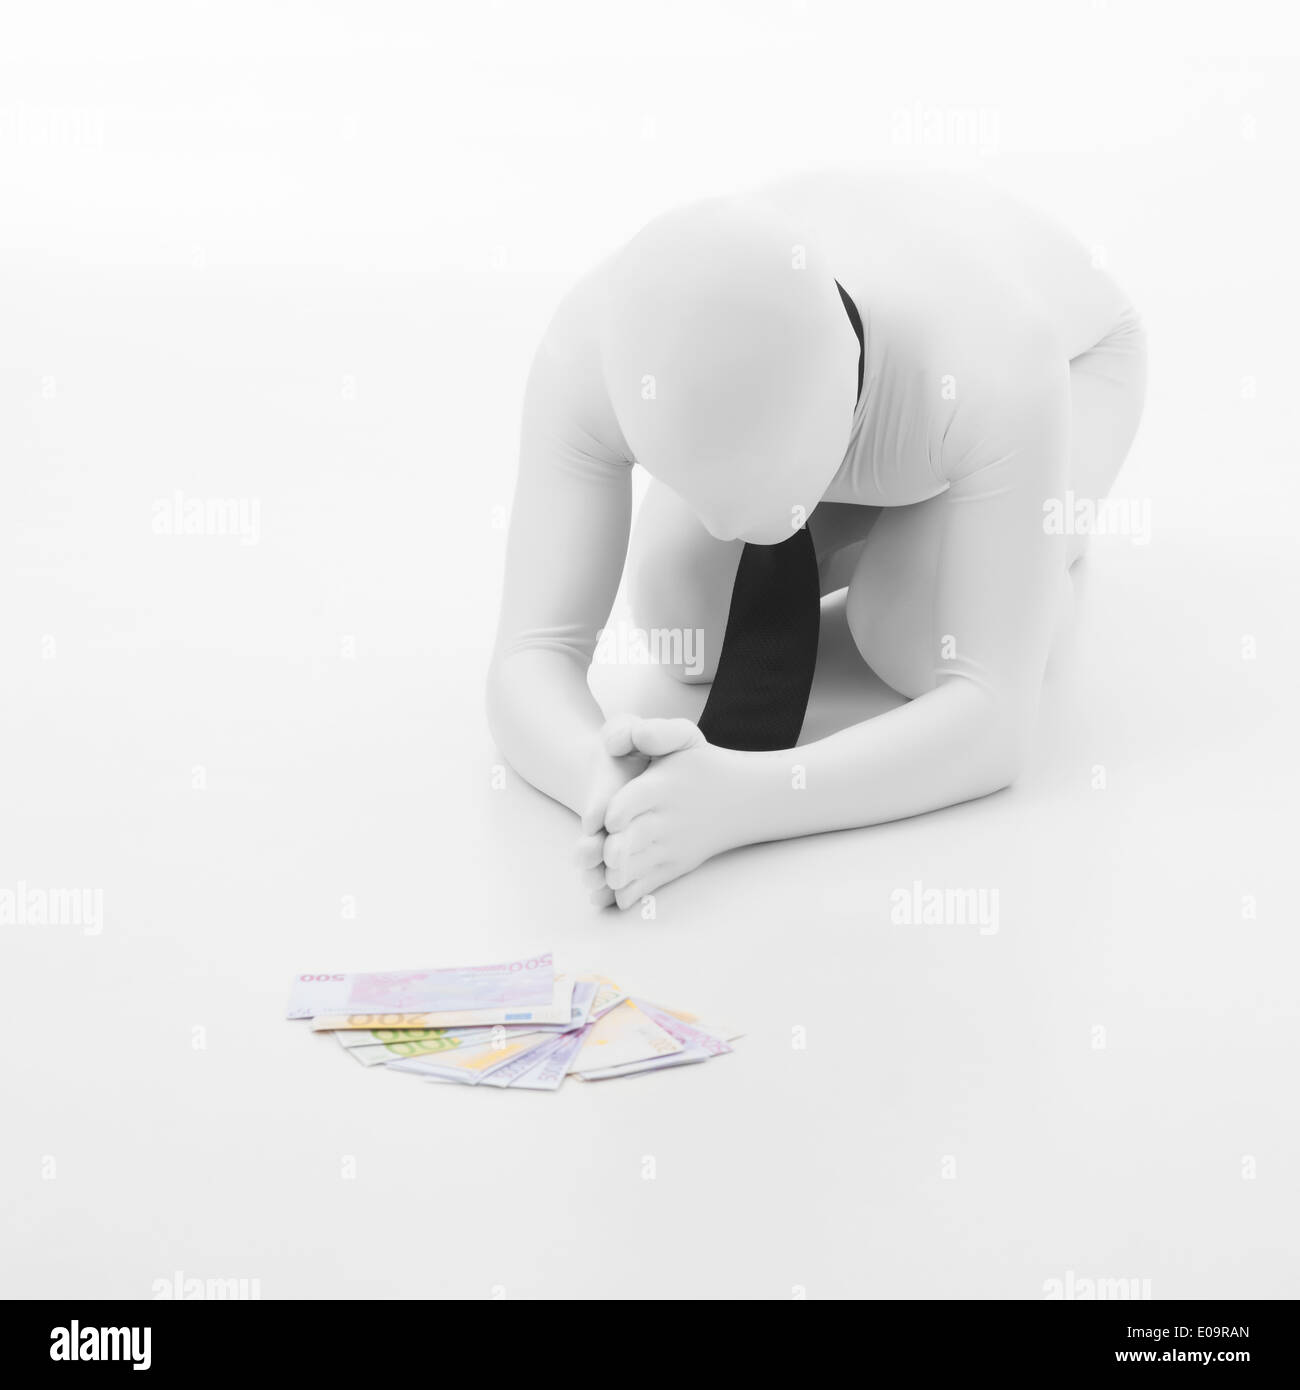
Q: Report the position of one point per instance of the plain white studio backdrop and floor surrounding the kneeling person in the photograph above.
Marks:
(301, 255)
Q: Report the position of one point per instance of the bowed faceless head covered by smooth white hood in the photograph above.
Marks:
(732, 365)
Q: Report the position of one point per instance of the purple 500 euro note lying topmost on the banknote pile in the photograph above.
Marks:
(471, 989)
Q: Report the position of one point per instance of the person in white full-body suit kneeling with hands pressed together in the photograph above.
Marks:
(1002, 372)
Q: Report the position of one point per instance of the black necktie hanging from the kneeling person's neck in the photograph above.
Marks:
(770, 648)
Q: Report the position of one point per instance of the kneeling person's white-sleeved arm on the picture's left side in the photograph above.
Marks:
(565, 558)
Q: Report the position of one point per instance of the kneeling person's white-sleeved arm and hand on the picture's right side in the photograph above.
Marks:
(998, 596)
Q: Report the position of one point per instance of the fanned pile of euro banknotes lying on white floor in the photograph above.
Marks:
(517, 1024)
